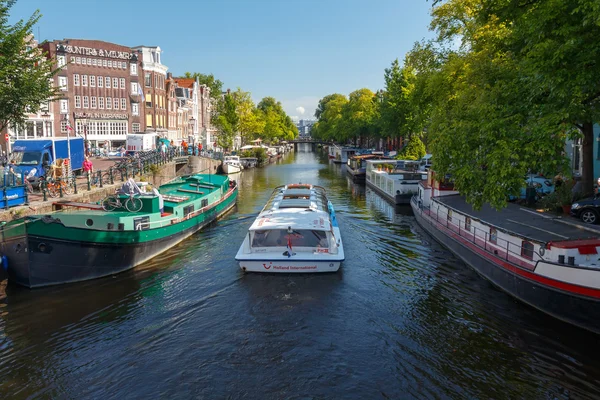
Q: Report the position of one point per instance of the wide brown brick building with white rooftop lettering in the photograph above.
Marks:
(97, 81)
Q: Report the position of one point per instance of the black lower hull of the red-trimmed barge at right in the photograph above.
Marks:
(569, 307)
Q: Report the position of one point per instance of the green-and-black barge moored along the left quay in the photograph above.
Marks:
(83, 241)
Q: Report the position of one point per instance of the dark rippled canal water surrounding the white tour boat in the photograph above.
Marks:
(402, 318)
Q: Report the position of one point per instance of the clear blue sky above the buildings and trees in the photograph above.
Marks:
(294, 51)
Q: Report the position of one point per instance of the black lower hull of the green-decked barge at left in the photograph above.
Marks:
(70, 261)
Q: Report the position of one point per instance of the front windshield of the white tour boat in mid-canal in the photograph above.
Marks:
(281, 238)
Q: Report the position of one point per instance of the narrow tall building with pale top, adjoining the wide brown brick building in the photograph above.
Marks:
(155, 90)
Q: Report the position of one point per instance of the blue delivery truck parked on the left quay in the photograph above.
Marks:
(42, 153)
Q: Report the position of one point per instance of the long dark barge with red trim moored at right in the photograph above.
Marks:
(550, 263)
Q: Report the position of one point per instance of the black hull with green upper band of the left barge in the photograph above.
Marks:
(43, 260)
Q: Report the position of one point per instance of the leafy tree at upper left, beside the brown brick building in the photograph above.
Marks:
(25, 73)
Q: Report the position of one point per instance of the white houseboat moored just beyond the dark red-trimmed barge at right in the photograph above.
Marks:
(396, 180)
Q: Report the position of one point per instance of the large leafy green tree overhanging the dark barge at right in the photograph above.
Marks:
(503, 100)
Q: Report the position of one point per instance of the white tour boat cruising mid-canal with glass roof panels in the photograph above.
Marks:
(296, 231)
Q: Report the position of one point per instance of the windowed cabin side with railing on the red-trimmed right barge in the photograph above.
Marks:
(482, 239)
